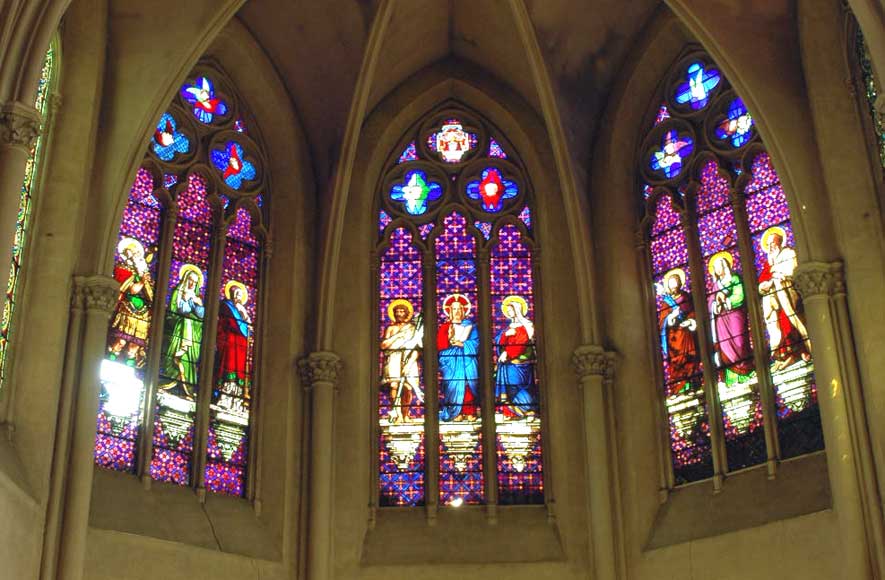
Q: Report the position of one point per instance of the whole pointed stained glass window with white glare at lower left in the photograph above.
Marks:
(179, 377)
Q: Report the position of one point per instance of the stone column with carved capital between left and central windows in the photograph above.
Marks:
(319, 375)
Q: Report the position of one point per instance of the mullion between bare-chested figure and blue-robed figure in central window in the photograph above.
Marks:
(431, 389)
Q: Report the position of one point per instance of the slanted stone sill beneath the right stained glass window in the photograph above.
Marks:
(747, 499)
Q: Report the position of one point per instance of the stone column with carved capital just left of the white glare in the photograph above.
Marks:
(100, 294)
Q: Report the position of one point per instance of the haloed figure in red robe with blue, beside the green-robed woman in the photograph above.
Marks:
(234, 332)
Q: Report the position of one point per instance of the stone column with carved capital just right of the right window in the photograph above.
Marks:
(852, 478)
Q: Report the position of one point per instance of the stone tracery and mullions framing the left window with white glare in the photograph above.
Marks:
(171, 178)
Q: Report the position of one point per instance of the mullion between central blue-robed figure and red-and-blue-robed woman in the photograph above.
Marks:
(487, 401)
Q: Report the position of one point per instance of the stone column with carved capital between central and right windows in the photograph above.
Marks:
(595, 369)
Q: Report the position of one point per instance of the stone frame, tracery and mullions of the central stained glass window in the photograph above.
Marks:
(490, 149)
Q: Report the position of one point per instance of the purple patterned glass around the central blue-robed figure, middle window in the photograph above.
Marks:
(456, 273)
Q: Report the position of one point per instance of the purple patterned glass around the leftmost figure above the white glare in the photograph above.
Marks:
(115, 442)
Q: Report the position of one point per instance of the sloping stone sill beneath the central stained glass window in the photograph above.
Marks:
(402, 536)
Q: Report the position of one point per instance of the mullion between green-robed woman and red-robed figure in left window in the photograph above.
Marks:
(207, 357)
